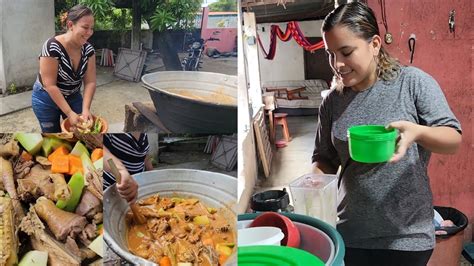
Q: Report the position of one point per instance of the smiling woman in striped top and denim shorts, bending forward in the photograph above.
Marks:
(66, 62)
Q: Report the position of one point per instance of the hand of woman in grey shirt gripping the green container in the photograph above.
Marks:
(409, 133)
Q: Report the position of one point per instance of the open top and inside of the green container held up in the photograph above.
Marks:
(371, 133)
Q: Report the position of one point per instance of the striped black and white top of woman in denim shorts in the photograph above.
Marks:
(68, 80)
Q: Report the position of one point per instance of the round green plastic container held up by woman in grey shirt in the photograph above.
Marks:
(371, 143)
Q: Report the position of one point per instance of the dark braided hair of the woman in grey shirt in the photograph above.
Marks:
(361, 20)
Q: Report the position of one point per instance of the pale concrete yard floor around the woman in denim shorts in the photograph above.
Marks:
(112, 94)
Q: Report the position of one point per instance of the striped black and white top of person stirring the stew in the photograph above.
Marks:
(130, 151)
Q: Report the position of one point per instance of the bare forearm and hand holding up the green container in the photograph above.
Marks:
(441, 139)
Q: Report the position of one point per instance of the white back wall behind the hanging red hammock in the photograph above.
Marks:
(288, 63)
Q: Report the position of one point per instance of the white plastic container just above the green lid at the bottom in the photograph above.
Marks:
(262, 235)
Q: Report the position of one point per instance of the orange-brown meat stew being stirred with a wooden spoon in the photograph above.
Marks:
(181, 229)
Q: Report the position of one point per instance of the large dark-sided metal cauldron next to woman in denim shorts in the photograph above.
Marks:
(209, 112)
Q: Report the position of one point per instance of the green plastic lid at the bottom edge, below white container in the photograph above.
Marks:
(276, 255)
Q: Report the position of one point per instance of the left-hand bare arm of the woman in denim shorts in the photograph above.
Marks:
(49, 72)
